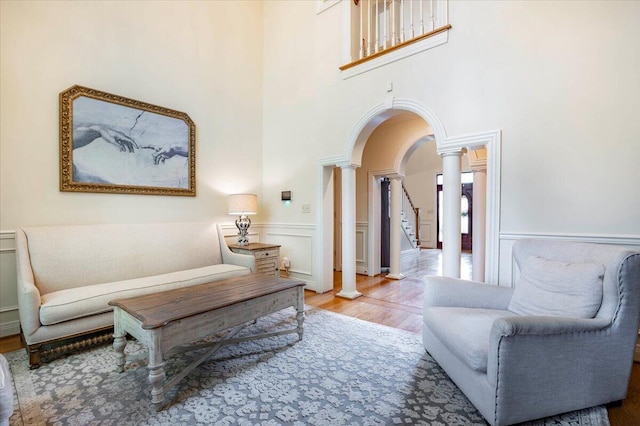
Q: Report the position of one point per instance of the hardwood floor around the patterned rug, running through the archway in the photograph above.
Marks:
(398, 304)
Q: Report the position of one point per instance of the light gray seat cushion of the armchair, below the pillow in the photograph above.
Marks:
(464, 331)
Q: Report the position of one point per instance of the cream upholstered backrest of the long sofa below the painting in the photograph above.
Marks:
(64, 257)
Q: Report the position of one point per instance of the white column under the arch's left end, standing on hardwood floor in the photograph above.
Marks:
(349, 290)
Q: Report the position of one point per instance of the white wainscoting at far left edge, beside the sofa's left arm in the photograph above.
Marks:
(9, 322)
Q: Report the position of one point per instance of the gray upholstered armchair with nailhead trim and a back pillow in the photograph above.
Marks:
(560, 340)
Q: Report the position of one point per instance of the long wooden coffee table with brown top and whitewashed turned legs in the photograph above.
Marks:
(168, 323)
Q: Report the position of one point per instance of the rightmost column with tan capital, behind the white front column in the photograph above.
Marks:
(478, 164)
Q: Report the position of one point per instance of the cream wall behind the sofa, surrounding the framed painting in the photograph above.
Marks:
(192, 57)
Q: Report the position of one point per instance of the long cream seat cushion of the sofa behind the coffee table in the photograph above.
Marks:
(65, 305)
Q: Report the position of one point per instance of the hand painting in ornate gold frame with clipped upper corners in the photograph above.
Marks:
(113, 144)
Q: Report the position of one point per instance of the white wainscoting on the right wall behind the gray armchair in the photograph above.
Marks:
(508, 271)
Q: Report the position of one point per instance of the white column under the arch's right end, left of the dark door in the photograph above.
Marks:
(452, 193)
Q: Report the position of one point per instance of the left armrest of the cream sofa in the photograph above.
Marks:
(28, 294)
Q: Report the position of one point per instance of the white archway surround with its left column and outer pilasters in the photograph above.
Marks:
(446, 146)
